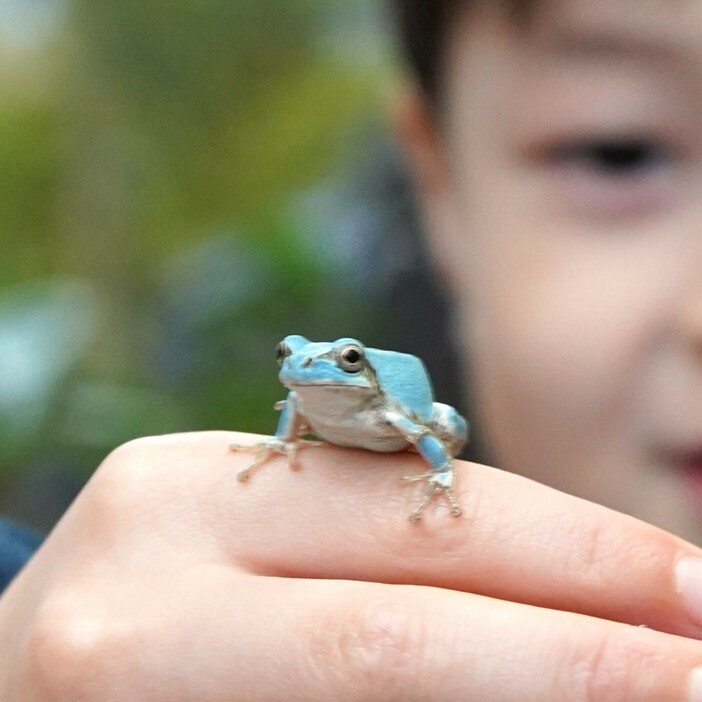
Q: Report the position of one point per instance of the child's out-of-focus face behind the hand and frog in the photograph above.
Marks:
(568, 217)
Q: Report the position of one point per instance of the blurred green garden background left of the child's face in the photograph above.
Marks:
(182, 184)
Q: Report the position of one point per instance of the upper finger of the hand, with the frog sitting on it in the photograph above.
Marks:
(343, 515)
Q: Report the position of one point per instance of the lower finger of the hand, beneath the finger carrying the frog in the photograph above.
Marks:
(218, 635)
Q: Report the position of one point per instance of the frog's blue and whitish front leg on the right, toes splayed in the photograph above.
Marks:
(442, 475)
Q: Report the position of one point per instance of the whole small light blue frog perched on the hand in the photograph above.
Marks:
(383, 402)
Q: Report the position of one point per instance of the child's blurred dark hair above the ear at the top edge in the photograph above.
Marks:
(422, 27)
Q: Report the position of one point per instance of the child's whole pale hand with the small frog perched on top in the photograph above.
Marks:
(169, 580)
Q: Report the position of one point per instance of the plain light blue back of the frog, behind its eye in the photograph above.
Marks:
(404, 380)
